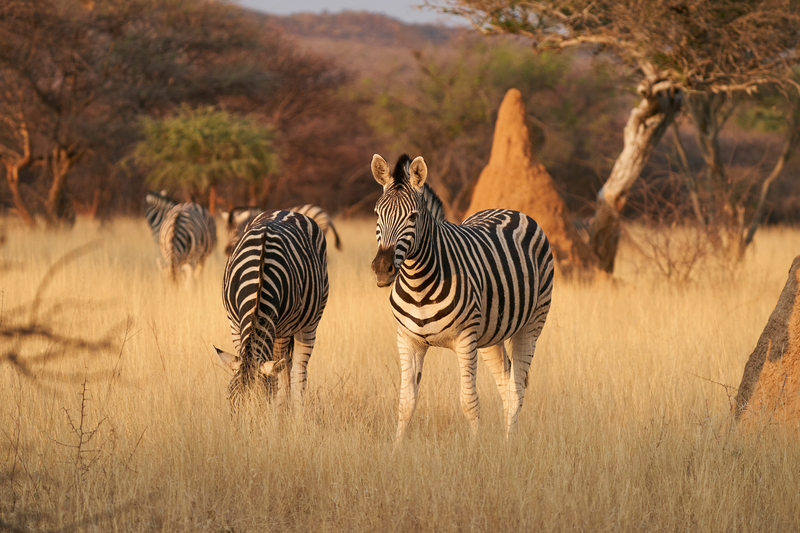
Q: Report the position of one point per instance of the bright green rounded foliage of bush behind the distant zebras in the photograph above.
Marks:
(200, 148)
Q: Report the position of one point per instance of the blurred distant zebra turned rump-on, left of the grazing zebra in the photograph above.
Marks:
(187, 237)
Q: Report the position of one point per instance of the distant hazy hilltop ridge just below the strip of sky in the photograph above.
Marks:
(363, 27)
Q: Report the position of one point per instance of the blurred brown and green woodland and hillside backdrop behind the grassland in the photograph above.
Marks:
(334, 89)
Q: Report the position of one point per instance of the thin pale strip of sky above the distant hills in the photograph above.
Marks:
(399, 9)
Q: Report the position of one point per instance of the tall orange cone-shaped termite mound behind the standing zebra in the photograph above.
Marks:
(515, 179)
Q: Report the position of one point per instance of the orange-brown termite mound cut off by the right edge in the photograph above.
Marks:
(770, 388)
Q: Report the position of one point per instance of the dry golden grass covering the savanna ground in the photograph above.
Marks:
(113, 413)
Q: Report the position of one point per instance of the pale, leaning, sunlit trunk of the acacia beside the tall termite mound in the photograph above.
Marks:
(660, 104)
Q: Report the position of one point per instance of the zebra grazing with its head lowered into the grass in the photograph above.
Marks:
(275, 288)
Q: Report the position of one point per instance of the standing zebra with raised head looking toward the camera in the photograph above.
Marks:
(470, 287)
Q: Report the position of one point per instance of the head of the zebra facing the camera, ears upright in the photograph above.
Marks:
(397, 209)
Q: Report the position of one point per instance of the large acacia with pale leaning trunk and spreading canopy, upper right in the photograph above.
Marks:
(706, 49)
